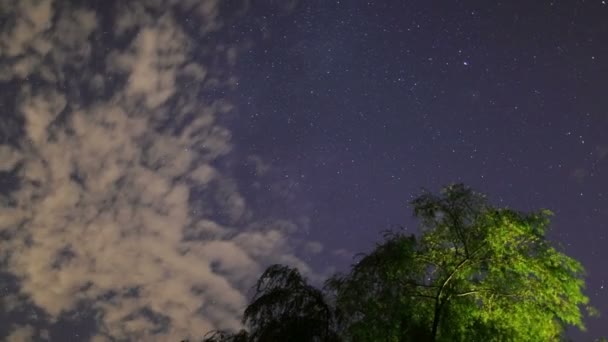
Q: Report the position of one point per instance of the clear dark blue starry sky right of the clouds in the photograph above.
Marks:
(362, 104)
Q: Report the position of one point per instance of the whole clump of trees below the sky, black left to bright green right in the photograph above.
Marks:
(475, 272)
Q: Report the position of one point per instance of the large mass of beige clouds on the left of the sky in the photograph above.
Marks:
(120, 205)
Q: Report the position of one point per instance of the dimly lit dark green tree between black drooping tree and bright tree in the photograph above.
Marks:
(375, 301)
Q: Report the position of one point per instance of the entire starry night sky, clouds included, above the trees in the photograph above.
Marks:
(156, 156)
